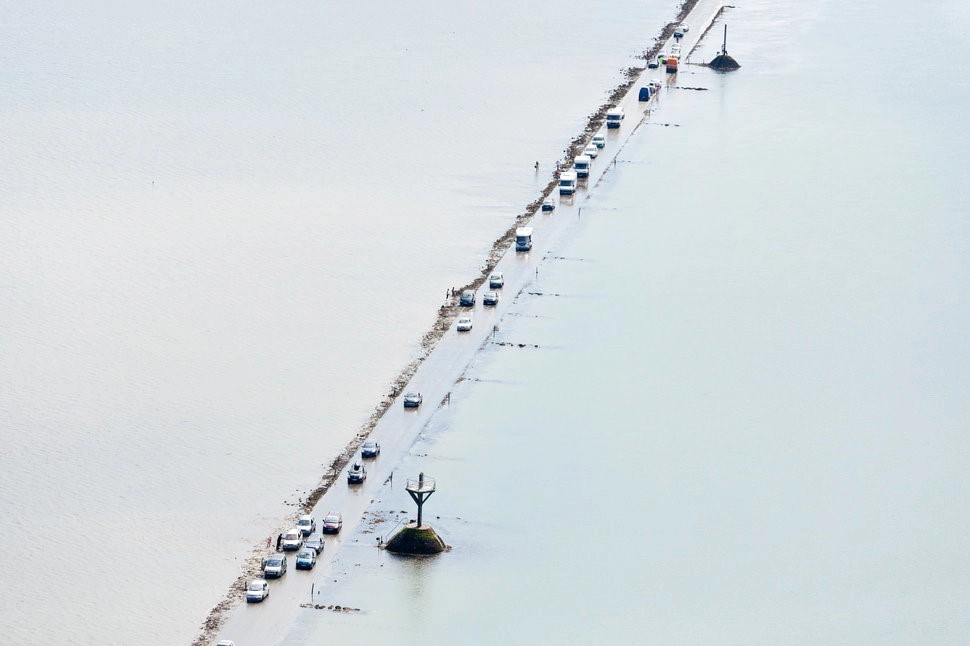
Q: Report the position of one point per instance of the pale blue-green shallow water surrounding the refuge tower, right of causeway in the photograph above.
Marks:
(740, 414)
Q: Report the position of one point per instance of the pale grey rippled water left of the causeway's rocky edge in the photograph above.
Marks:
(225, 227)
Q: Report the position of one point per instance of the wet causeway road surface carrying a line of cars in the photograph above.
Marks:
(397, 430)
